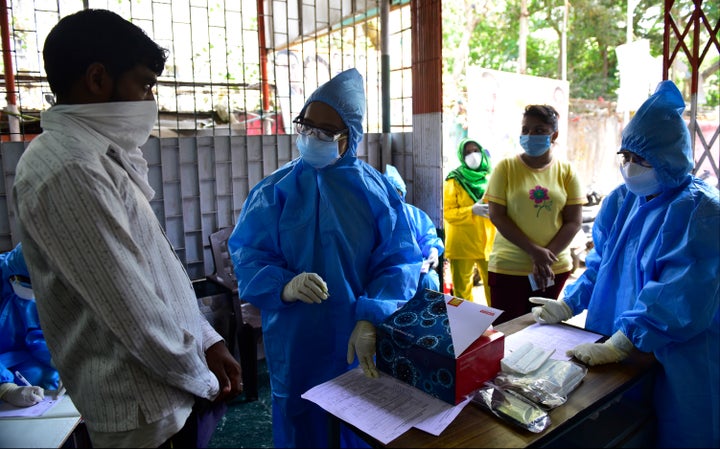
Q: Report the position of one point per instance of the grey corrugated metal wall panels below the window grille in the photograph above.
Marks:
(201, 183)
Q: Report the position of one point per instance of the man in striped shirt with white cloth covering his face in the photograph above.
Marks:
(140, 362)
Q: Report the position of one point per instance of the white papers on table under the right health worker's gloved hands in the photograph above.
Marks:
(550, 337)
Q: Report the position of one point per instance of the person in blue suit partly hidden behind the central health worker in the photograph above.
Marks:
(425, 234)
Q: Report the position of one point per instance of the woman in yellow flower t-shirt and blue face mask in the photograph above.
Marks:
(535, 202)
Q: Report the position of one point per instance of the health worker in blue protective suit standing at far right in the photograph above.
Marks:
(651, 282)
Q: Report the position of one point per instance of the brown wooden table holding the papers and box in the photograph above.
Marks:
(578, 420)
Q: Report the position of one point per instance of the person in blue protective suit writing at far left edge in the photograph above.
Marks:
(22, 344)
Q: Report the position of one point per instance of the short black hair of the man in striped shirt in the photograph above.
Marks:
(97, 36)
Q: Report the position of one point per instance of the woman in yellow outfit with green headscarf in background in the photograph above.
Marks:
(468, 232)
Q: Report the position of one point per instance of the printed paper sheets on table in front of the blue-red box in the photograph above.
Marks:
(385, 407)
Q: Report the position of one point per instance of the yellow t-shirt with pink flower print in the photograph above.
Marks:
(534, 199)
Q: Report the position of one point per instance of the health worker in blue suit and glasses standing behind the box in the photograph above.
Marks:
(326, 253)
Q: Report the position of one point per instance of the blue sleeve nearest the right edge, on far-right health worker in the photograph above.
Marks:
(681, 296)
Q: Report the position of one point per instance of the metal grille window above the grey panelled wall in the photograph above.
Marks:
(235, 67)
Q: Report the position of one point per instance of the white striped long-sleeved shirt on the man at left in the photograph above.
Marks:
(116, 305)
